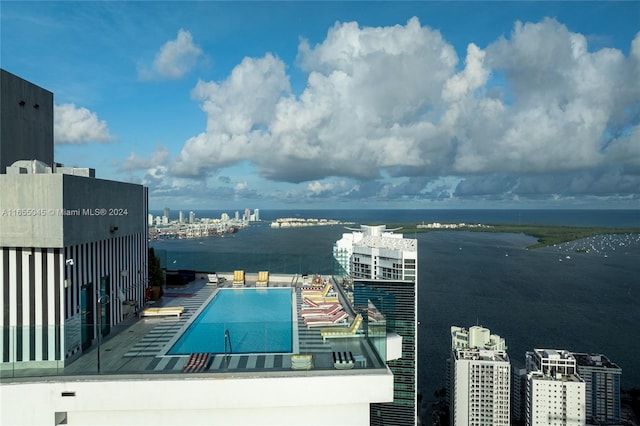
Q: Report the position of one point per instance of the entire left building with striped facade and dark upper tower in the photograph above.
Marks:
(73, 254)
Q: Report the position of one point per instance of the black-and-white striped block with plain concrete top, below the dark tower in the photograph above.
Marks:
(45, 220)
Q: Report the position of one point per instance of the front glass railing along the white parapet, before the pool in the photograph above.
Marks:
(247, 347)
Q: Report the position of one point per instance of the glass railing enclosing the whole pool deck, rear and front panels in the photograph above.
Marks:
(150, 345)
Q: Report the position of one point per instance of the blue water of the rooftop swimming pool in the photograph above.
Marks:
(258, 321)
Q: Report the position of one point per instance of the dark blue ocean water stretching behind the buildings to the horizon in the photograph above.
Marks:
(554, 297)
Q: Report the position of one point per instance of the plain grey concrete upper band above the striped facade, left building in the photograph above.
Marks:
(57, 210)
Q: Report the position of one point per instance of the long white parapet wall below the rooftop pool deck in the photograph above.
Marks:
(311, 400)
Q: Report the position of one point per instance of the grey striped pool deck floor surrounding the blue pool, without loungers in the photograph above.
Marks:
(138, 344)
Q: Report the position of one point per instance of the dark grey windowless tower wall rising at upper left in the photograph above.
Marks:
(26, 127)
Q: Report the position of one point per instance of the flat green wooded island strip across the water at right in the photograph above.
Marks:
(547, 235)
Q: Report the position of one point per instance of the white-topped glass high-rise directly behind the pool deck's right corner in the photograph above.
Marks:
(384, 271)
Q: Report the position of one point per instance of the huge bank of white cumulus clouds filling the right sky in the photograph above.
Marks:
(397, 101)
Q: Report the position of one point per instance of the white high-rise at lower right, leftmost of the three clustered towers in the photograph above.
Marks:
(480, 377)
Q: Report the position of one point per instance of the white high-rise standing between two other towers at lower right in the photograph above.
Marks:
(555, 392)
